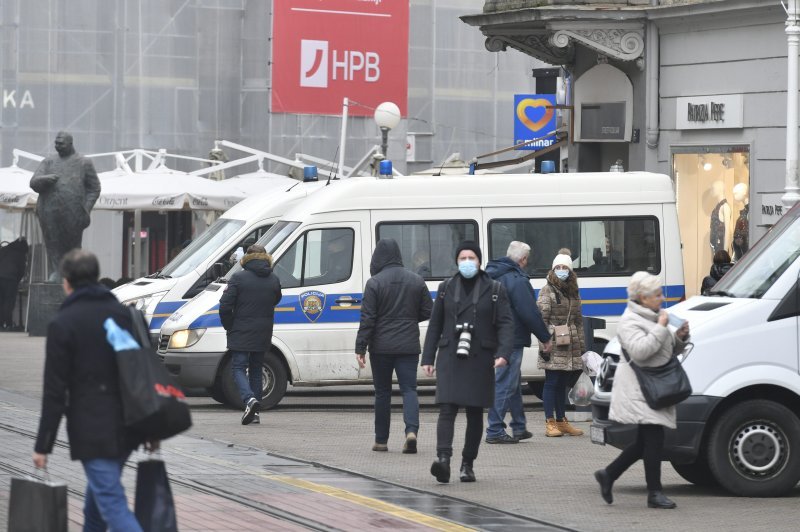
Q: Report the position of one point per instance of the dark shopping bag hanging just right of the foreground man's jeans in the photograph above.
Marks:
(154, 506)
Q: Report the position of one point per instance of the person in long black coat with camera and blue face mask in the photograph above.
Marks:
(470, 297)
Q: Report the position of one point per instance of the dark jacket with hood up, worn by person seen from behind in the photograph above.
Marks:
(395, 301)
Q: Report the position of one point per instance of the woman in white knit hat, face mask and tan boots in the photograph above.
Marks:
(560, 304)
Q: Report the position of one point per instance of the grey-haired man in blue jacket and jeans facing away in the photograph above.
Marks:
(509, 270)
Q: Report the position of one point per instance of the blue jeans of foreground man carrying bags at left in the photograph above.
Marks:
(105, 506)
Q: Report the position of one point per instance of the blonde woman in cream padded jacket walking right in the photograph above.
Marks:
(643, 333)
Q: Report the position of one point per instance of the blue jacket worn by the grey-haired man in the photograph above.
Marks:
(527, 318)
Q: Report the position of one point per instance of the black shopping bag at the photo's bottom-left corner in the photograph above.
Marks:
(37, 506)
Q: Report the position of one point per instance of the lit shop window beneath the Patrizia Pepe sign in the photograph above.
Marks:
(713, 191)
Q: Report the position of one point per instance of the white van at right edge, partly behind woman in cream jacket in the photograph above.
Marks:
(740, 428)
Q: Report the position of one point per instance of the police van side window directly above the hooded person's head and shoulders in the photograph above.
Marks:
(428, 248)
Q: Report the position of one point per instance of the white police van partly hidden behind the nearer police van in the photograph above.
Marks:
(209, 256)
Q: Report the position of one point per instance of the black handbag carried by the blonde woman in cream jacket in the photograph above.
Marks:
(662, 386)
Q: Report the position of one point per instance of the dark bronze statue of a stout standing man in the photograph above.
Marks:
(68, 187)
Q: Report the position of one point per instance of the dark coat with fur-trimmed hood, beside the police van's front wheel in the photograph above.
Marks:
(247, 307)
